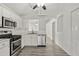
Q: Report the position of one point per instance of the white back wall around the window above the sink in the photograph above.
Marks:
(42, 22)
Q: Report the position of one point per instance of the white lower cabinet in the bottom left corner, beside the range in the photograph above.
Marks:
(4, 47)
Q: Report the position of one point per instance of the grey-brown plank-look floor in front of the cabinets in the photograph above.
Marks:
(49, 50)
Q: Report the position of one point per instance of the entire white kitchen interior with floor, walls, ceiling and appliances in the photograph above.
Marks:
(36, 29)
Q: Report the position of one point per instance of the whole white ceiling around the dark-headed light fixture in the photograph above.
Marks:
(53, 9)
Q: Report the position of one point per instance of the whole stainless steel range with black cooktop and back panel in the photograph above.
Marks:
(15, 42)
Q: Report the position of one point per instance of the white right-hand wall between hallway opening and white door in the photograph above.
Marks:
(63, 39)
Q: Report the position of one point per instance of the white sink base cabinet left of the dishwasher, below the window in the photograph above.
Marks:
(29, 40)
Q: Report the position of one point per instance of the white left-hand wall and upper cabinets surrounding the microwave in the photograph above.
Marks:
(7, 12)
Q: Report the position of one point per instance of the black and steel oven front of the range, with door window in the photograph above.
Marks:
(15, 44)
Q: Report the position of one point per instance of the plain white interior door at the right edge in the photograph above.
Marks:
(75, 32)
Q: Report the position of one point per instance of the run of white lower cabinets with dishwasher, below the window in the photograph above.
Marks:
(33, 40)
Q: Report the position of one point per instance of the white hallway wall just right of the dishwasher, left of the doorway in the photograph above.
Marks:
(49, 33)
